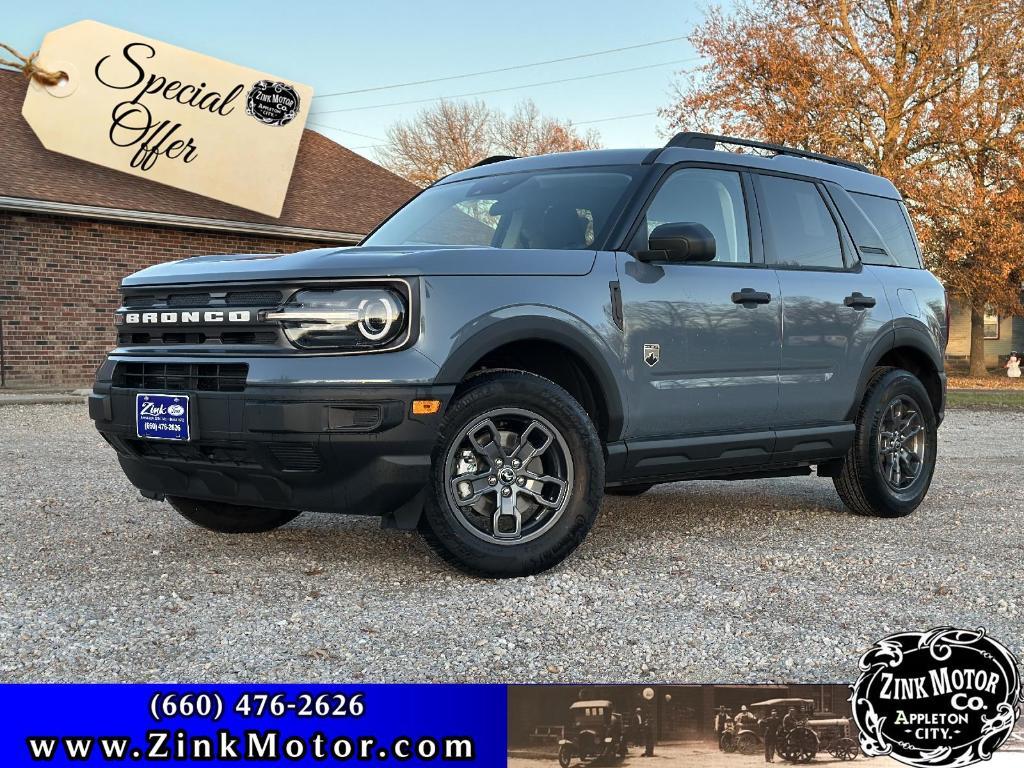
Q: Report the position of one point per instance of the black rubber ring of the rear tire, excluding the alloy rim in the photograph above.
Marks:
(886, 500)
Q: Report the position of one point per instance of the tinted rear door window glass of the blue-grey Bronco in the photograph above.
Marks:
(799, 230)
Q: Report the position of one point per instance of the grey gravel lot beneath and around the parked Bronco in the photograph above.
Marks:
(704, 582)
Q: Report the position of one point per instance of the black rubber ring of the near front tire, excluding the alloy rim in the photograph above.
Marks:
(556, 405)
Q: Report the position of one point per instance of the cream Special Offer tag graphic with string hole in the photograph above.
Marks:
(169, 115)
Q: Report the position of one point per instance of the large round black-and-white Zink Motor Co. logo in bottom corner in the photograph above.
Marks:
(945, 698)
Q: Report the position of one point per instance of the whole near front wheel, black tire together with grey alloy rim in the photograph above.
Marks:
(542, 524)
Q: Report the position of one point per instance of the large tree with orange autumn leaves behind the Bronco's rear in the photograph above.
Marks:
(925, 93)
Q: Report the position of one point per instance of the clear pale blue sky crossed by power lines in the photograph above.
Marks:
(349, 47)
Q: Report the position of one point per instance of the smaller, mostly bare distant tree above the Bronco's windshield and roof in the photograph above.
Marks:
(453, 136)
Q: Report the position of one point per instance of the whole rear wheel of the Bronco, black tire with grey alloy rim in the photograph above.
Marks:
(866, 482)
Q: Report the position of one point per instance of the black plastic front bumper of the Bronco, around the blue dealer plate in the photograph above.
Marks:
(357, 450)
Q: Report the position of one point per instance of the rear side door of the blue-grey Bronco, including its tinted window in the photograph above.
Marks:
(833, 309)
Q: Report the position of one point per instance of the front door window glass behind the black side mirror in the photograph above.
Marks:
(707, 197)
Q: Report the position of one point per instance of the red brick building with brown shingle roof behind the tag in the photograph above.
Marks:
(70, 231)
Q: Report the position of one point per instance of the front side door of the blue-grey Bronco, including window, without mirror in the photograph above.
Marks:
(702, 340)
